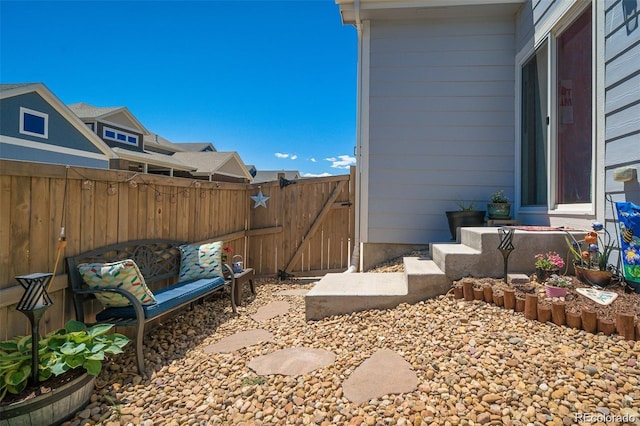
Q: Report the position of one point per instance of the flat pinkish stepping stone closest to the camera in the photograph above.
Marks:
(385, 372)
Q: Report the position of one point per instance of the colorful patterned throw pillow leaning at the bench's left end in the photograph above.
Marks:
(123, 274)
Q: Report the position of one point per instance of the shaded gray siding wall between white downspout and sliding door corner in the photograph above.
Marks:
(441, 109)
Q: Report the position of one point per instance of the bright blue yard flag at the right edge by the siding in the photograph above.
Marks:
(629, 220)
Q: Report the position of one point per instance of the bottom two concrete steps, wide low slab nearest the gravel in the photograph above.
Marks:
(342, 293)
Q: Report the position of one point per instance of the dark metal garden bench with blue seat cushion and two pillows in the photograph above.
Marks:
(117, 275)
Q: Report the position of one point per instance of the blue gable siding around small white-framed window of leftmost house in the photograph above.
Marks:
(61, 132)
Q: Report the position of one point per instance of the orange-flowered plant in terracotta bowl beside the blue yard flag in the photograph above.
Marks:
(591, 256)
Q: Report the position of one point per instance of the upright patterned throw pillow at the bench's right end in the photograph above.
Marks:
(204, 261)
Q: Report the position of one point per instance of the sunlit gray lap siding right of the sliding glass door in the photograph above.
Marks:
(622, 98)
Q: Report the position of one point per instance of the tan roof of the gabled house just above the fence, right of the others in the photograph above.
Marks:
(210, 163)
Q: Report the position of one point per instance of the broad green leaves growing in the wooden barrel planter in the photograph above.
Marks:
(73, 346)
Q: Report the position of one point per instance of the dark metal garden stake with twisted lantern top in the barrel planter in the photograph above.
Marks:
(33, 303)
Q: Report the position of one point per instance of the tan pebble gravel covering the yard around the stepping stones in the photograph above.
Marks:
(476, 364)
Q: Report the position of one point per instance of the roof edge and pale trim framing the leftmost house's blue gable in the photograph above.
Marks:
(13, 90)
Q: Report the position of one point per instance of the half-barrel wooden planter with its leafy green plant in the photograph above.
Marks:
(70, 357)
